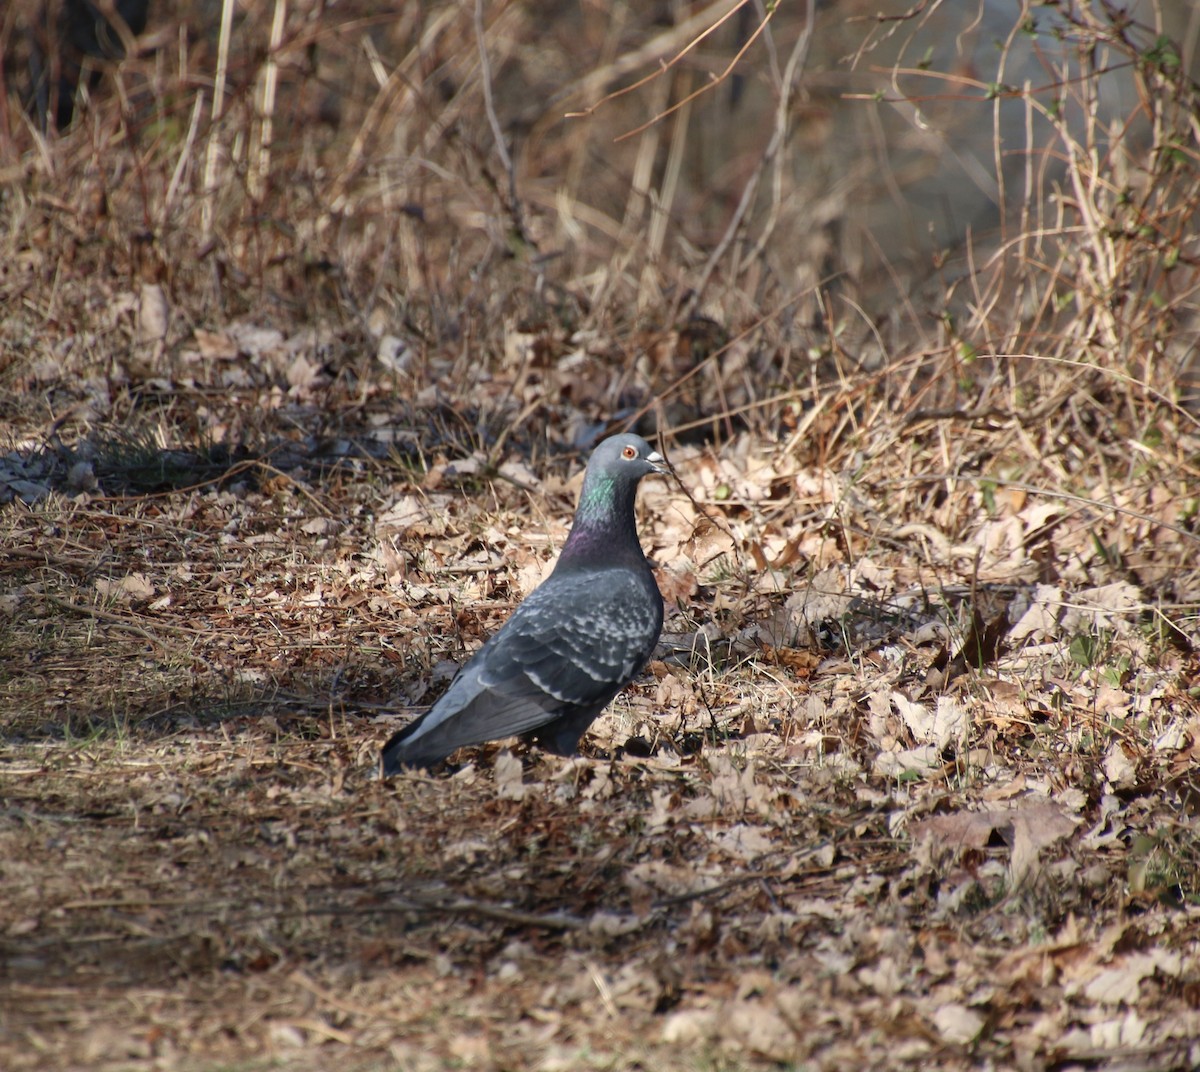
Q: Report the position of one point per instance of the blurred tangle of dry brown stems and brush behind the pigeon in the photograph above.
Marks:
(677, 215)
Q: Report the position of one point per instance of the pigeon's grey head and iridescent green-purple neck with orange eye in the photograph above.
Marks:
(604, 522)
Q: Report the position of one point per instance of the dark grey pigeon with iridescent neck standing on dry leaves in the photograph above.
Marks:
(573, 645)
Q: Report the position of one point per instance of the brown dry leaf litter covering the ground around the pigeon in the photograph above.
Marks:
(752, 839)
